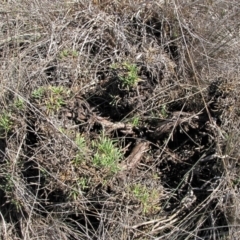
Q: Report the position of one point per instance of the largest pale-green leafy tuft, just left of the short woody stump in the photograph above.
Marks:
(107, 155)
